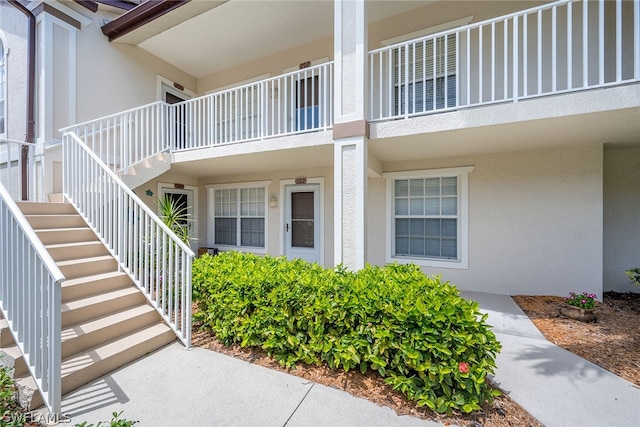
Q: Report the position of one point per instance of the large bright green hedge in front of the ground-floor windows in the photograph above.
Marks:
(416, 331)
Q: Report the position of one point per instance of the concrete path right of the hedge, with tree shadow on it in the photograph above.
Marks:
(552, 384)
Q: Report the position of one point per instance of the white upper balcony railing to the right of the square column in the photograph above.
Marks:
(555, 48)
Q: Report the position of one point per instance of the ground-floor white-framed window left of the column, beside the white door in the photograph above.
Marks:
(238, 216)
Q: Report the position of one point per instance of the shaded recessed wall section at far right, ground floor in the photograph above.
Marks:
(621, 216)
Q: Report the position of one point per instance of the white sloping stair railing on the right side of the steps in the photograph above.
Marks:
(158, 262)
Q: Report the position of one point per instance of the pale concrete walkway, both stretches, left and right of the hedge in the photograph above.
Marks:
(175, 387)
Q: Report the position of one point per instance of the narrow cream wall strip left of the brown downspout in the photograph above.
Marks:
(14, 27)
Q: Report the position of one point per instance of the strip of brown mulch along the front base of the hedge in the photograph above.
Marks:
(502, 413)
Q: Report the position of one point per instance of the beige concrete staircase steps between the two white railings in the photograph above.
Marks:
(106, 320)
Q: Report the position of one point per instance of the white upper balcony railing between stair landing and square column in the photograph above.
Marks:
(296, 102)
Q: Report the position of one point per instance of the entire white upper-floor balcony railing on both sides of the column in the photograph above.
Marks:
(558, 48)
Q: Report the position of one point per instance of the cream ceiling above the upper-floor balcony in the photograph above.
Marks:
(239, 31)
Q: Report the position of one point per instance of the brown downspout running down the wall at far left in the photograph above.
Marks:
(31, 83)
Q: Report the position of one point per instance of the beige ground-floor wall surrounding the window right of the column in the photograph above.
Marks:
(535, 221)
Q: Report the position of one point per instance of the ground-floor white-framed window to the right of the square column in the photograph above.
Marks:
(427, 217)
